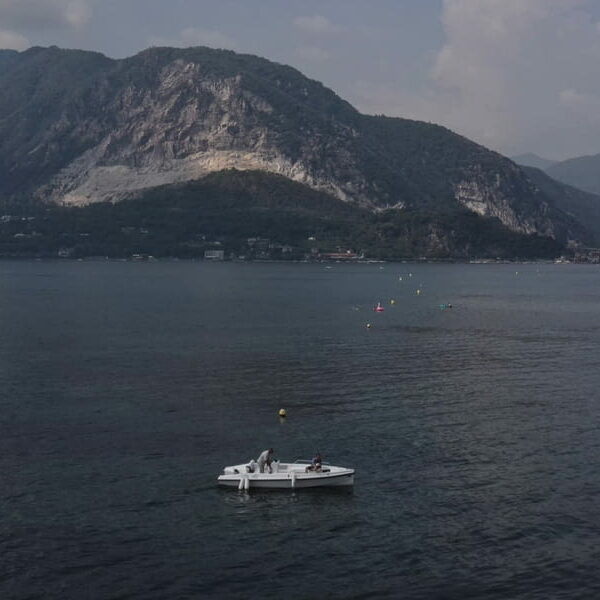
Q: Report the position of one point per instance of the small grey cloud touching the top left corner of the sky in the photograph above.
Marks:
(36, 15)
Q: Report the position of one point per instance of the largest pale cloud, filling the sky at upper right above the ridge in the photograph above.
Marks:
(513, 75)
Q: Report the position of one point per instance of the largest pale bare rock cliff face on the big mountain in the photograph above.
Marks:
(188, 126)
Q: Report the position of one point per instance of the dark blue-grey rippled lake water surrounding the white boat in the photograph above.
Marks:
(475, 431)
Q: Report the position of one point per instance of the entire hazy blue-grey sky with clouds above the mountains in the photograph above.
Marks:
(515, 75)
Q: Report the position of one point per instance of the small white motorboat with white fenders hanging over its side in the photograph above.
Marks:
(286, 476)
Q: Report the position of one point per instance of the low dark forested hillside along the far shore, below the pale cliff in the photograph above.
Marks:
(224, 210)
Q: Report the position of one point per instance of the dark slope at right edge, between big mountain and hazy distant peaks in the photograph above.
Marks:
(583, 206)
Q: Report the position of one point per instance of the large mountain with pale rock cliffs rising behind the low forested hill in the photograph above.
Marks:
(77, 128)
